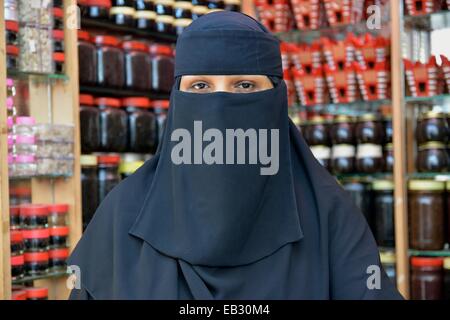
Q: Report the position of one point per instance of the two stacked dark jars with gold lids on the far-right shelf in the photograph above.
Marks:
(432, 135)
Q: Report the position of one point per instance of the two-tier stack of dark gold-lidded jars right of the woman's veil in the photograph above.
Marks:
(368, 132)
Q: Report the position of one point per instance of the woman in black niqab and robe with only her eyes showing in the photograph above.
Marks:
(202, 220)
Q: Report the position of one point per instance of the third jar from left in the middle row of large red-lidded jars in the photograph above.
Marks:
(142, 134)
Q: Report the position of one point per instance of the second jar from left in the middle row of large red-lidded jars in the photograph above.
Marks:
(113, 125)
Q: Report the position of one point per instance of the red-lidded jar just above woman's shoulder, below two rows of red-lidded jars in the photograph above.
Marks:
(108, 174)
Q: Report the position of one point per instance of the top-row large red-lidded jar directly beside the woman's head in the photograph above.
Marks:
(162, 67)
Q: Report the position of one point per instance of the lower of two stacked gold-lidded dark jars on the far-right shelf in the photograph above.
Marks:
(432, 157)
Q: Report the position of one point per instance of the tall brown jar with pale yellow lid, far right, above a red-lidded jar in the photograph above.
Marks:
(426, 209)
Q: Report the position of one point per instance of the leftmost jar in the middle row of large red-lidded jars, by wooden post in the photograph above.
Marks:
(89, 124)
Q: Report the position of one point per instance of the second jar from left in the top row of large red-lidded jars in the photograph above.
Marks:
(110, 62)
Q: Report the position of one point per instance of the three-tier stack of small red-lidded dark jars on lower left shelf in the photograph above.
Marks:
(38, 239)
